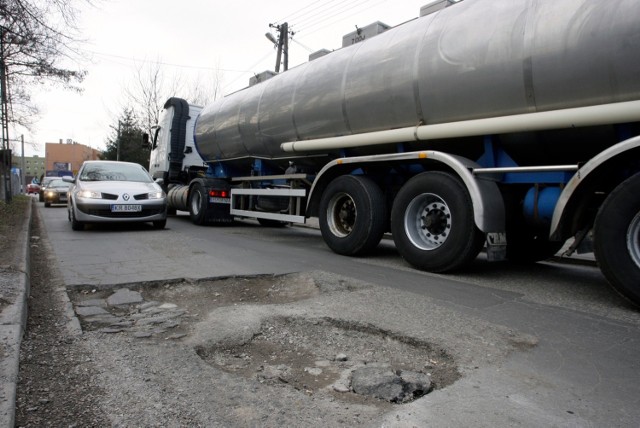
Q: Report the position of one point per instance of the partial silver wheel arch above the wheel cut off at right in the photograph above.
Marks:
(602, 173)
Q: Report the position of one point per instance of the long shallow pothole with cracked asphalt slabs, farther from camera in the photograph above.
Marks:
(165, 309)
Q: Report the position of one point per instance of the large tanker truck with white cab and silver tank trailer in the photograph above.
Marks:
(512, 125)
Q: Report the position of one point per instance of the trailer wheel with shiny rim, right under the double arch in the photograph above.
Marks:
(432, 223)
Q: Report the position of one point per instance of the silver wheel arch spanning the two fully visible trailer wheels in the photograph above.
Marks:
(488, 206)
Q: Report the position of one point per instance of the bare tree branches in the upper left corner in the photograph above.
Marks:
(38, 41)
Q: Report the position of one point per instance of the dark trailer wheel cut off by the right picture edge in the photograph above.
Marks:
(617, 238)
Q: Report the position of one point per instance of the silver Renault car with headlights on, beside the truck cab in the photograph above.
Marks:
(110, 191)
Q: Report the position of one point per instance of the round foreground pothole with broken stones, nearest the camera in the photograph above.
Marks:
(347, 360)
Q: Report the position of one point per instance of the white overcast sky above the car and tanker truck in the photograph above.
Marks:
(191, 38)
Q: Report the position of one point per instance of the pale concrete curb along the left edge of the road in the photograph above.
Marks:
(13, 322)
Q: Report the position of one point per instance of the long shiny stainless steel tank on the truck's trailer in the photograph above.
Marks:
(475, 59)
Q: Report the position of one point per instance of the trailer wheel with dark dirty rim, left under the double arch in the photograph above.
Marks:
(352, 215)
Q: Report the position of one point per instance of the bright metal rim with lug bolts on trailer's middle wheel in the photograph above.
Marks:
(427, 221)
